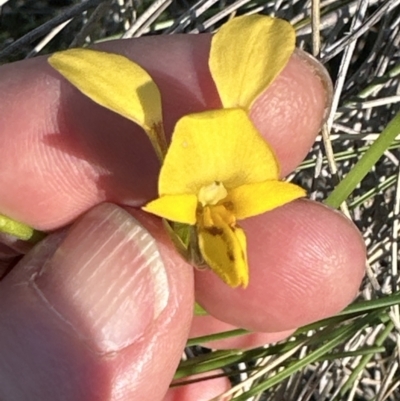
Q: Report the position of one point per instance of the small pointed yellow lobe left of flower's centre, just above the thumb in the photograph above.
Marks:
(179, 208)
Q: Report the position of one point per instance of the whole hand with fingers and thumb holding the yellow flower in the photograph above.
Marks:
(96, 311)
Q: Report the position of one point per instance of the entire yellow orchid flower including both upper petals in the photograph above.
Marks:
(218, 169)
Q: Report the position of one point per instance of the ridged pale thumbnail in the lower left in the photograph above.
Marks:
(106, 280)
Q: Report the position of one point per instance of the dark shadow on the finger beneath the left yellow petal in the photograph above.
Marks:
(111, 159)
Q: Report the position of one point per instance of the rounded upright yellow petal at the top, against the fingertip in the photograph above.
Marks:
(247, 54)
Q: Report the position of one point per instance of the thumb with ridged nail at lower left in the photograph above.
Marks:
(93, 312)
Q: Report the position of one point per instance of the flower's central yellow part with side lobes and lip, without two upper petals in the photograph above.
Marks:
(218, 169)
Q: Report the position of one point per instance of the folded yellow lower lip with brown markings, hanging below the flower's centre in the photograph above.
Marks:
(224, 250)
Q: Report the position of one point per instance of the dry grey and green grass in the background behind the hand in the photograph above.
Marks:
(355, 355)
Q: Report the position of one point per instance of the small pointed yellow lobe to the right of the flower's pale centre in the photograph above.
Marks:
(253, 199)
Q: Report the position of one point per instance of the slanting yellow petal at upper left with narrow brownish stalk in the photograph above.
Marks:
(117, 83)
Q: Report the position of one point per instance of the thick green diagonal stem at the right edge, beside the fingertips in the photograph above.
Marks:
(364, 165)
